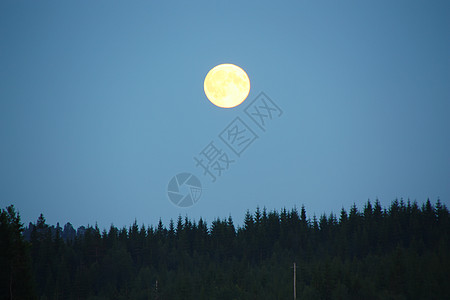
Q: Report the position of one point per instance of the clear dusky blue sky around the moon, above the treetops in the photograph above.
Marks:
(102, 103)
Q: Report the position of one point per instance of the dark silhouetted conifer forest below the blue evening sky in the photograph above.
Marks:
(398, 252)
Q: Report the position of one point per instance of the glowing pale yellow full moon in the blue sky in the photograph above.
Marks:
(227, 85)
